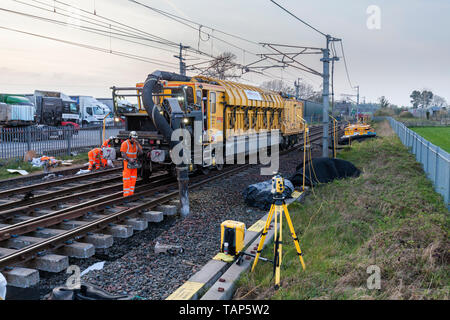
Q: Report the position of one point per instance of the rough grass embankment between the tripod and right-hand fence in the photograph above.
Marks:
(390, 216)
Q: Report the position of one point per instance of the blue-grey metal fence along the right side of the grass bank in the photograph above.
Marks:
(435, 161)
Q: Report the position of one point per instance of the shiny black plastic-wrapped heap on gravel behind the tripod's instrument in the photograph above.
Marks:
(260, 195)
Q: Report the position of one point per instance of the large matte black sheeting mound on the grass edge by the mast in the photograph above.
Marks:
(324, 170)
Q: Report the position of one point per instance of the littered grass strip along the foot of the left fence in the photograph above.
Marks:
(23, 165)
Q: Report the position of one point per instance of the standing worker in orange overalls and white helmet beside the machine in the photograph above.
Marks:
(129, 150)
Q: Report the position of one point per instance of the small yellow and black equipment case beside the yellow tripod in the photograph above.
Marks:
(232, 235)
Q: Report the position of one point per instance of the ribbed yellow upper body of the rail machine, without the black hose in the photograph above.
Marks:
(234, 109)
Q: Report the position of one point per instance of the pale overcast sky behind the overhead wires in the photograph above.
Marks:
(409, 51)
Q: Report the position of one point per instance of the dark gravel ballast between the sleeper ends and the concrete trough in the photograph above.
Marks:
(131, 265)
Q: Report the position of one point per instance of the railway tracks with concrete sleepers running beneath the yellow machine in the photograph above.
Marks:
(40, 233)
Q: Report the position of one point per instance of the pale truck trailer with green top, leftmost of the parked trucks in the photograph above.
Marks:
(16, 111)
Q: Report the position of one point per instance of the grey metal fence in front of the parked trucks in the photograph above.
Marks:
(16, 142)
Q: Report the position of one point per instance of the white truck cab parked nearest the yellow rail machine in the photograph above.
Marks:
(92, 111)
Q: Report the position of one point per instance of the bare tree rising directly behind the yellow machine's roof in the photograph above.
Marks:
(223, 67)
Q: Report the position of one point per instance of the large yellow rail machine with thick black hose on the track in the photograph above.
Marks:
(223, 111)
